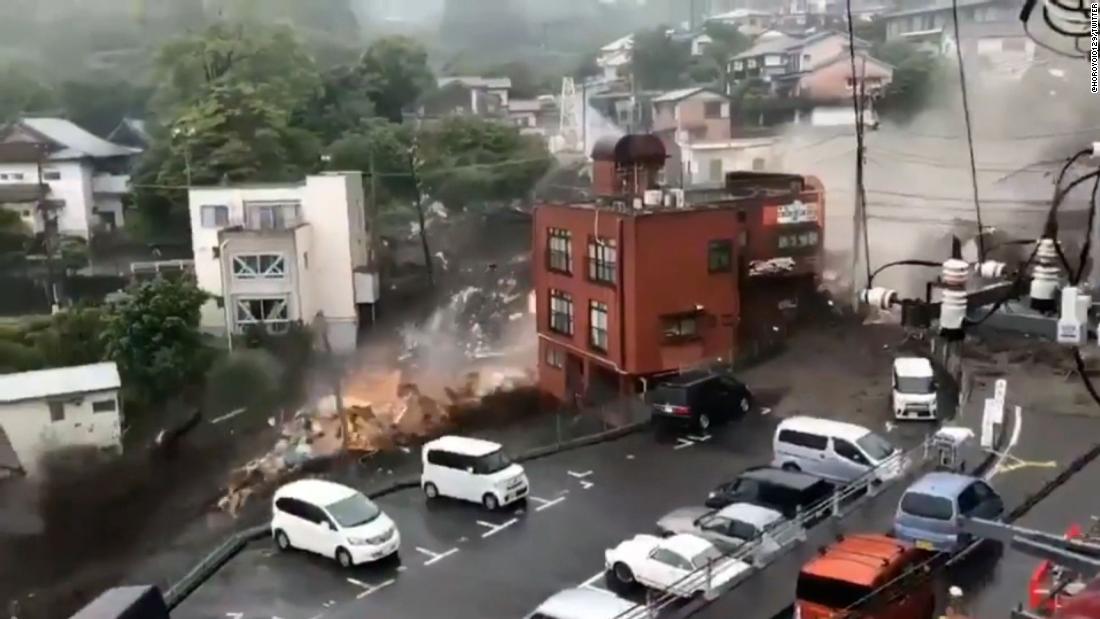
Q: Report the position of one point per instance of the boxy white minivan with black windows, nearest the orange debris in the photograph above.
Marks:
(472, 470)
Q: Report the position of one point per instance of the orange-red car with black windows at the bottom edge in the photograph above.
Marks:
(846, 573)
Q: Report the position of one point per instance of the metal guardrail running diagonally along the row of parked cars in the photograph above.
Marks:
(793, 530)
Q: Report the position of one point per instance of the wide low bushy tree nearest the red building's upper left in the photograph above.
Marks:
(469, 160)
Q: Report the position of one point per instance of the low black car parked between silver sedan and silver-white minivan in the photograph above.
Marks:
(787, 492)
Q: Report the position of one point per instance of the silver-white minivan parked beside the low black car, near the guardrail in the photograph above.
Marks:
(834, 450)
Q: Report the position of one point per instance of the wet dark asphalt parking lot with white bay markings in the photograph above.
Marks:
(460, 561)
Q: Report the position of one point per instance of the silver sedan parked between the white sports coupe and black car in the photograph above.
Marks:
(729, 528)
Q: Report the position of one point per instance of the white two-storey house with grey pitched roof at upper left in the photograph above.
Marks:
(82, 179)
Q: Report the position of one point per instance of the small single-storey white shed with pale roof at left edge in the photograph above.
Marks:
(45, 411)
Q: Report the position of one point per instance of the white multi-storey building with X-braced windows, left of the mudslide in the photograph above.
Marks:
(277, 255)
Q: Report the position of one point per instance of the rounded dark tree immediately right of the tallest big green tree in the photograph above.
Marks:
(395, 71)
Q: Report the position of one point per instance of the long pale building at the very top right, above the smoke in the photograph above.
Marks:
(928, 24)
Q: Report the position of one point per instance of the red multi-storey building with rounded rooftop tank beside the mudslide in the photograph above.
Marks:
(642, 282)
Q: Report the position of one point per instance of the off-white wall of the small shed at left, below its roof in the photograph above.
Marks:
(32, 434)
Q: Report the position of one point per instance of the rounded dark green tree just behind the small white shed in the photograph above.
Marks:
(153, 336)
